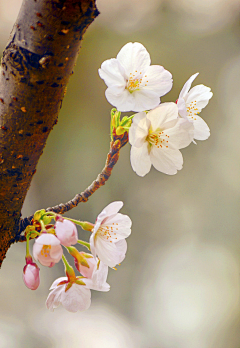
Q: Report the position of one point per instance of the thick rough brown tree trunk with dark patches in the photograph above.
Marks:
(36, 66)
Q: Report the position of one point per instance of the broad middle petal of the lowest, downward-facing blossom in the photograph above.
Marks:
(76, 298)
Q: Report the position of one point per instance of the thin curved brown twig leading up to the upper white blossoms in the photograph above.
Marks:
(112, 158)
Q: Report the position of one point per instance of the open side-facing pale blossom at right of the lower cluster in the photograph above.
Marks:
(108, 238)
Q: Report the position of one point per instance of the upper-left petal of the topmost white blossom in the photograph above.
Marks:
(112, 73)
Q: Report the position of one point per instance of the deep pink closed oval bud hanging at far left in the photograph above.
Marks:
(31, 274)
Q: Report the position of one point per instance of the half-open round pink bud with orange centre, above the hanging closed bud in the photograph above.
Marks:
(47, 249)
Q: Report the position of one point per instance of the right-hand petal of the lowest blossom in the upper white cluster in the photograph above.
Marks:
(179, 133)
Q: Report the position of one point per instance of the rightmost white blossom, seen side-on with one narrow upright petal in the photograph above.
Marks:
(191, 102)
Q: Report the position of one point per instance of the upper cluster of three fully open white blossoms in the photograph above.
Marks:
(157, 131)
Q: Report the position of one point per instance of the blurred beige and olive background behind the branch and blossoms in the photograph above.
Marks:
(179, 284)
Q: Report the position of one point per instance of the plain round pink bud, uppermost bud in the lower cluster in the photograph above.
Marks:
(66, 232)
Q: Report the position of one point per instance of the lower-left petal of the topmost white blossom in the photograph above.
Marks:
(123, 100)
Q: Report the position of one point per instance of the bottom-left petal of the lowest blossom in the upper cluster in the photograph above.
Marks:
(140, 160)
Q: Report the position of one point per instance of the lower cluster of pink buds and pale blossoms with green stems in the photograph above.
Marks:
(107, 245)
